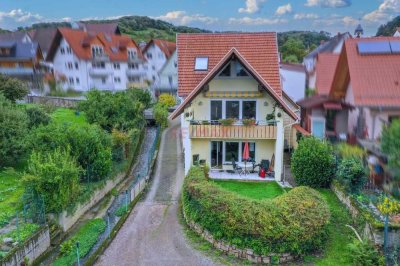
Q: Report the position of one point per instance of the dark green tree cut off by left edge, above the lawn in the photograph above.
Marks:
(13, 131)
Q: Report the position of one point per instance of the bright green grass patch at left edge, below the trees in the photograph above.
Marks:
(11, 191)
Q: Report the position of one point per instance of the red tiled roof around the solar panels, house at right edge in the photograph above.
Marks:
(375, 78)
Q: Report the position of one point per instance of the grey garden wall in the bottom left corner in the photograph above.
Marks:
(32, 249)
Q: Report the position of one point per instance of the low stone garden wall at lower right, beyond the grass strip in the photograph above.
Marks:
(374, 233)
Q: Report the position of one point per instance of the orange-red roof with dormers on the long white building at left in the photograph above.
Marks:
(115, 46)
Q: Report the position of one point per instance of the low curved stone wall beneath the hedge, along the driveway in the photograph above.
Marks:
(232, 250)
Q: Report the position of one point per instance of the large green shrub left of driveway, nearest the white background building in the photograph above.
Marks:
(113, 110)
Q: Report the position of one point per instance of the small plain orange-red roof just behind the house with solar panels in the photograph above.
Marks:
(325, 69)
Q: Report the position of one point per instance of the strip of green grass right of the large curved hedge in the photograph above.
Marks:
(336, 251)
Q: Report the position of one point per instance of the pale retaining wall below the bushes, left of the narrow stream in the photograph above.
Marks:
(66, 221)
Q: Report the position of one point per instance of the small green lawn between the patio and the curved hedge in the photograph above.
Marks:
(254, 190)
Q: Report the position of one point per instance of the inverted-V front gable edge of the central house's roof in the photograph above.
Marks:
(233, 53)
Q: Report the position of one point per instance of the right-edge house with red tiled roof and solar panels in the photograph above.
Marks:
(368, 76)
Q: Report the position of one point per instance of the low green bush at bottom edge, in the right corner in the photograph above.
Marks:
(365, 254)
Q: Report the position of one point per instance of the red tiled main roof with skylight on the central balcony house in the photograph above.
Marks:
(259, 50)
